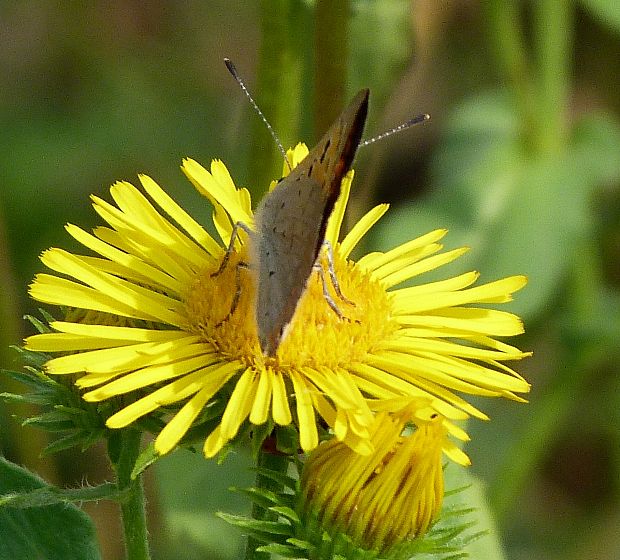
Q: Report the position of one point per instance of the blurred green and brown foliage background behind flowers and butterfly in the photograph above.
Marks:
(521, 161)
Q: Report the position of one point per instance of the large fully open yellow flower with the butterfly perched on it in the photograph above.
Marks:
(149, 318)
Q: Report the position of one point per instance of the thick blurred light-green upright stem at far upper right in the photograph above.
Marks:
(553, 39)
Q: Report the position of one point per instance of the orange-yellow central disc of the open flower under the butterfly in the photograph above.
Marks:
(220, 307)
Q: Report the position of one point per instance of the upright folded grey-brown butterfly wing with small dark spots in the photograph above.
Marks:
(291, 223)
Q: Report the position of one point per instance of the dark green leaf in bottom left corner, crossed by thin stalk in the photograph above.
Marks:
(56, 532)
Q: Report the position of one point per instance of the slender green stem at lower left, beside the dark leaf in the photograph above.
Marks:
(133, 506)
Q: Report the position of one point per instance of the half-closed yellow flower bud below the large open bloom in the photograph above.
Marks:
(390, 496)
